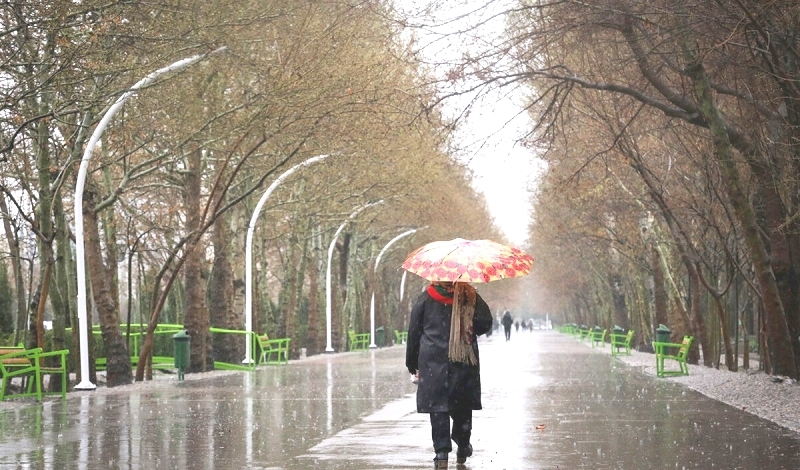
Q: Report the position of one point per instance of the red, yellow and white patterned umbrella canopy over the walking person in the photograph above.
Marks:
(461, 260)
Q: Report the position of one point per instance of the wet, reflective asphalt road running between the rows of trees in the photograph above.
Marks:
(549, 403)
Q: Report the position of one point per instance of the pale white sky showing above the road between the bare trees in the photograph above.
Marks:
(503, 169)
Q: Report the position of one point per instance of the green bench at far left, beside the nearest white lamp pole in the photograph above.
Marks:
(30, 364)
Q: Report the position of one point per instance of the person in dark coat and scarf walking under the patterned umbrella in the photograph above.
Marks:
(442, 354)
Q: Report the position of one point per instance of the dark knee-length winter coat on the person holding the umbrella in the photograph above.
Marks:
(443, 385)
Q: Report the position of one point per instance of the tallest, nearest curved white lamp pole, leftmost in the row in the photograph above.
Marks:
(85, 383)
